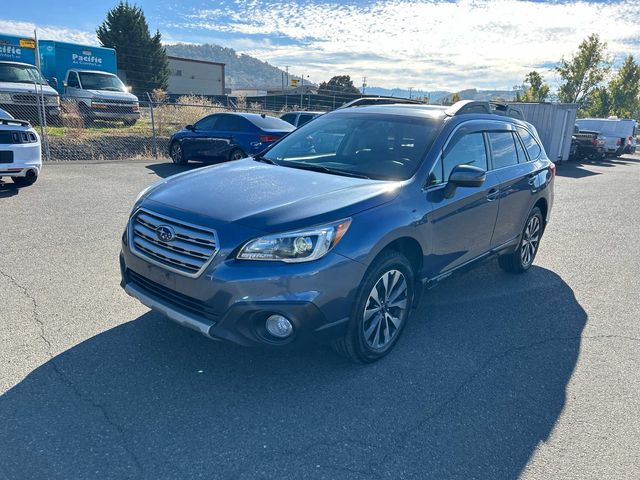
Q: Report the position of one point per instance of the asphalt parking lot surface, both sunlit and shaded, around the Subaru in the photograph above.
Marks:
(496, 376)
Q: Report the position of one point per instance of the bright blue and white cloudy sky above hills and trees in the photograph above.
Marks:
(428, 45)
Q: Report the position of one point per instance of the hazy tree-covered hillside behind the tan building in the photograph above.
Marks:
(241, 71)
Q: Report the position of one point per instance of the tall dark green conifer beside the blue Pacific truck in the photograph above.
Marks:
(140, 55)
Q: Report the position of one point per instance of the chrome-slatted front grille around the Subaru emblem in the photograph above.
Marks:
(188, 253)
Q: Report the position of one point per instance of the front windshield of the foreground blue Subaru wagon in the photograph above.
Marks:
(383, 147)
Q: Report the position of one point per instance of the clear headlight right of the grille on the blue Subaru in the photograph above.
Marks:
(298, 246)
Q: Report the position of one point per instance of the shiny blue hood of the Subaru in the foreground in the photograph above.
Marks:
(269, 197)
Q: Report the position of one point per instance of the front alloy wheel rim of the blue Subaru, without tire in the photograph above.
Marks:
(385, 309)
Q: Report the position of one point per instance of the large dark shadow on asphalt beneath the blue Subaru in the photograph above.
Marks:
(476, 383)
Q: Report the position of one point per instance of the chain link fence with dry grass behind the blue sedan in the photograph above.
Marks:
(113, 127)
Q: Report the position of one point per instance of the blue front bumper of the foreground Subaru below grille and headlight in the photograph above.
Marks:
(231, 300)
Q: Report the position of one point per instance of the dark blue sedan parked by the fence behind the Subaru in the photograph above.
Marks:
(226, 136)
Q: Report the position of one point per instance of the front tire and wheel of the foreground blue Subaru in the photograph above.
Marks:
(381, 309)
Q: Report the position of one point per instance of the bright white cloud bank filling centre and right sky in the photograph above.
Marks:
(425, 44)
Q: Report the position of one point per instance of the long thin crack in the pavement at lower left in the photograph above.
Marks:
(65, 379)
